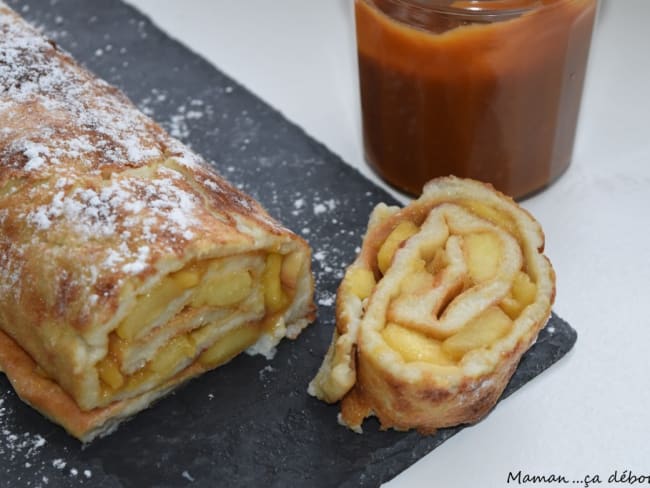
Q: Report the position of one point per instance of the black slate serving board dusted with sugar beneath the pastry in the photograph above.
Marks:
(251, 421)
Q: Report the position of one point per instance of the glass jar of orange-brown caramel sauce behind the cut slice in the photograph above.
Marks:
(485, 89)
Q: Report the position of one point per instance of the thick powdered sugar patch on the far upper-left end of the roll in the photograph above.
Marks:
(33, 70)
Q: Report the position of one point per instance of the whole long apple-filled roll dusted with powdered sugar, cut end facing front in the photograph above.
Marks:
(127, 266)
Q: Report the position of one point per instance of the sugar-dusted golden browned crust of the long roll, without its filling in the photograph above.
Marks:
(98, 204)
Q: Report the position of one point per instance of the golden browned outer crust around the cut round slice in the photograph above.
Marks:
(370, 378)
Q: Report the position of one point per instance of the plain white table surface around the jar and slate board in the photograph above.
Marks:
(590, 413)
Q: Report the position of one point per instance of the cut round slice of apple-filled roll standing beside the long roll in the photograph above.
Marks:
(438, 308)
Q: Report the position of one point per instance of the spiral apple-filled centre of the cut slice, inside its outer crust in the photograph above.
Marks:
(465, 285)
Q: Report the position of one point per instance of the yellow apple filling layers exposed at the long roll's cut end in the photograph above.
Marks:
(208, 312)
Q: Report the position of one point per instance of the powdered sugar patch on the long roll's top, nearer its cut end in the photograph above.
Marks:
(133, 210)
